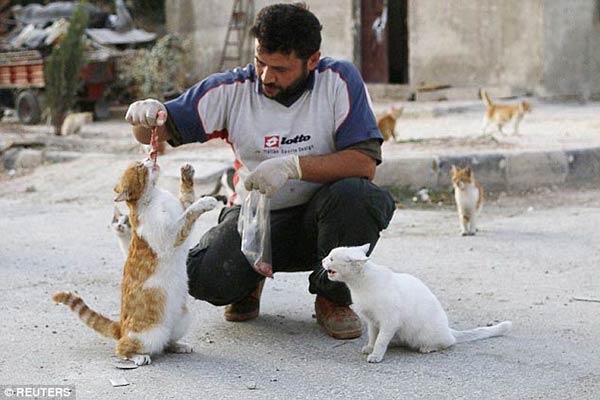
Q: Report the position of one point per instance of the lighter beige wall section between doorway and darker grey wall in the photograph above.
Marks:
(470, 43)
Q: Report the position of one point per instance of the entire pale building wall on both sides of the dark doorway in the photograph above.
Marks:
(550, 47)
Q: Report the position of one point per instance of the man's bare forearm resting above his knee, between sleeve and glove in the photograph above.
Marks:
(335, 166)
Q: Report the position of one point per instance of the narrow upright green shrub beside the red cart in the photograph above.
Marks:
(62, 70)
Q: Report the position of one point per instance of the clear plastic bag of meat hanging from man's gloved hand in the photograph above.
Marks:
(254, 226)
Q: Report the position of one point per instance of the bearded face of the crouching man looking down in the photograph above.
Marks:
(281, 75)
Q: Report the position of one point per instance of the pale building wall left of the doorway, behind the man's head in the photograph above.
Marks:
(205, 24)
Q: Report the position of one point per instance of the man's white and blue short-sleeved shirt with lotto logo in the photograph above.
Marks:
(333, 114)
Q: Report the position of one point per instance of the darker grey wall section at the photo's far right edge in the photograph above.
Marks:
(571, 49)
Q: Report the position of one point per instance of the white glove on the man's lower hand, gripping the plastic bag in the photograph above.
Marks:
(272, 174)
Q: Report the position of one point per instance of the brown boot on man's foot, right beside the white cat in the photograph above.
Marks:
(339, 322)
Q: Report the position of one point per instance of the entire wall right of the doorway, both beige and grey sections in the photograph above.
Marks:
(550, 47)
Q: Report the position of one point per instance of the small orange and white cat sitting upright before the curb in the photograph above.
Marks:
(469, 198)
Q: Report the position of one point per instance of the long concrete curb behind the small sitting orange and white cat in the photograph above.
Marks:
(510, 172)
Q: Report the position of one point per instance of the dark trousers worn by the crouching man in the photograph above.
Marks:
(349, 212)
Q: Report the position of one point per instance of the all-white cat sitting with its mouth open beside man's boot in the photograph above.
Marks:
(398, 308)
